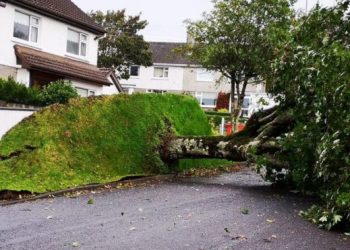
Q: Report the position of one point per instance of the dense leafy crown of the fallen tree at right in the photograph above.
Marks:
(312, 79)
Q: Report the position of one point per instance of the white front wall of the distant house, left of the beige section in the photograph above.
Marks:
(146, 80)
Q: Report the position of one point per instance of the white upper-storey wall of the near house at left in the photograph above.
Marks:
(52, 39)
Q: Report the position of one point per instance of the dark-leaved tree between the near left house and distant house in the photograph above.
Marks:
(122, 46)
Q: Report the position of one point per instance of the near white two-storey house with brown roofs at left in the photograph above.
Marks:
(45, 40)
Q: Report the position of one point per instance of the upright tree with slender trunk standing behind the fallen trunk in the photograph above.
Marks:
(240, 39)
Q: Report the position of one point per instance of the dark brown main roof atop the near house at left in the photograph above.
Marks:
(62, 10)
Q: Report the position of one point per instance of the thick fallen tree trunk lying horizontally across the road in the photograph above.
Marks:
(258, 138)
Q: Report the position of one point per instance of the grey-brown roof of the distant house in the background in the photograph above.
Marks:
(163, 52)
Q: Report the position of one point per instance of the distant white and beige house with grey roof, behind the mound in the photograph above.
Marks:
(173, 73)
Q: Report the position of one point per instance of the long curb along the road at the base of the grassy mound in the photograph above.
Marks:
(135, 180)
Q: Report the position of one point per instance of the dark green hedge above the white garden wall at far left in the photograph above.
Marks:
(11, 91)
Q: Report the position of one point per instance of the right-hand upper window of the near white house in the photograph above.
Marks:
(77, 43)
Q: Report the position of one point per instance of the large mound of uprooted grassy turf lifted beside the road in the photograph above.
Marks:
(95, 141)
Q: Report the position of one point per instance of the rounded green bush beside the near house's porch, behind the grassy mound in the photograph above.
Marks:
(58, 92)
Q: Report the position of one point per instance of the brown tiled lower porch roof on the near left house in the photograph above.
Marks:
(37, 60)
